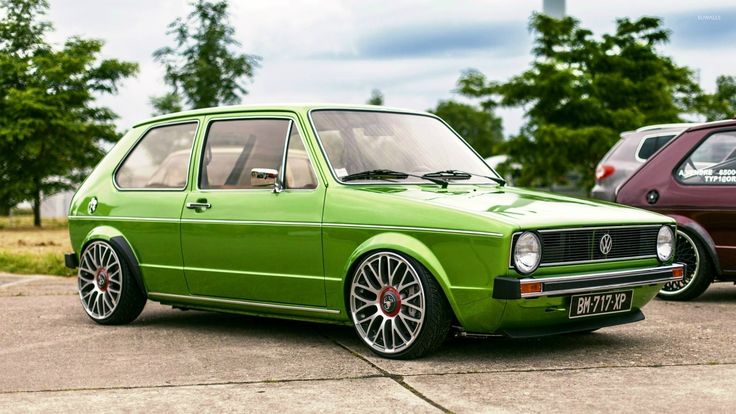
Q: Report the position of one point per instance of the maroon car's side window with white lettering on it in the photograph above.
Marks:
(712, 163)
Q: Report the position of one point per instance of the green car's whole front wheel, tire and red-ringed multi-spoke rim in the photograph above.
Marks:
(397, 307)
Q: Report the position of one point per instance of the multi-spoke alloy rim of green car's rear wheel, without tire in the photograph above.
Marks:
(100, 280)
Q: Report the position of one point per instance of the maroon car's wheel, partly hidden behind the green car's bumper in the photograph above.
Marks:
(699, 273)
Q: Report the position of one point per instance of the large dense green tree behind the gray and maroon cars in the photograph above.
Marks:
(581, 92)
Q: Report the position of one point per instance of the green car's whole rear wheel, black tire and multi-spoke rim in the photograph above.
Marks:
(118, 300)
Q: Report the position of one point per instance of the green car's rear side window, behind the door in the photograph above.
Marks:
(160, 160)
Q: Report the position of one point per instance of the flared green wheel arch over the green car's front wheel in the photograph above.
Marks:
(407, 245)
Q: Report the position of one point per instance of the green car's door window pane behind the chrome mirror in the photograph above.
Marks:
(233, 148)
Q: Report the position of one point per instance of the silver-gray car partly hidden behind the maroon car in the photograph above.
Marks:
(630, 153)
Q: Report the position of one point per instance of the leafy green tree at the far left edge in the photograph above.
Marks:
(51, 131)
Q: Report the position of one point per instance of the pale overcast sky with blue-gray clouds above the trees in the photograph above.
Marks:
(413, 51)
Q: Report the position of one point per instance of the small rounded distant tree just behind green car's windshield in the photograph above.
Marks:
(480, 127)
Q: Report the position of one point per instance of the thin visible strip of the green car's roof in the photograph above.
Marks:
(291, 107)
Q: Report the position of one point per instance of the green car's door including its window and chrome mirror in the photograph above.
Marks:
(241, 237)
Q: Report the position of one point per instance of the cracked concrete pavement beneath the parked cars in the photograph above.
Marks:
(54, 359)
